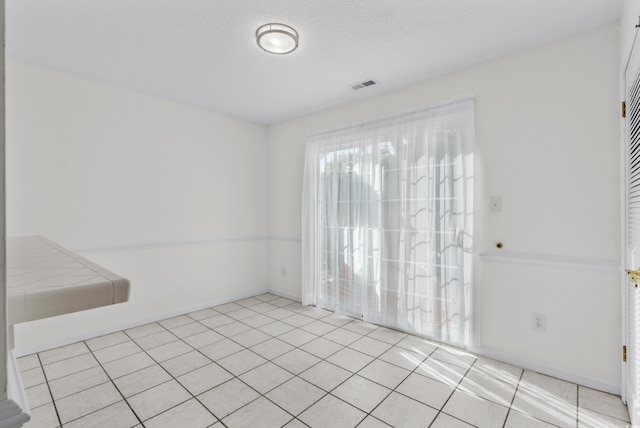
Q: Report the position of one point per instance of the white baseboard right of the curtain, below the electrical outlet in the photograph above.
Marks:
(552, 371)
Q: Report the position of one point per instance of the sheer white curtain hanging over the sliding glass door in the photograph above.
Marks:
(388, 221)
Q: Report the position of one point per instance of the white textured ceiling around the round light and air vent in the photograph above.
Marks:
(203, 52)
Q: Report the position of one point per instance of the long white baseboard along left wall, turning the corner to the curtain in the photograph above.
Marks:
(20, 352)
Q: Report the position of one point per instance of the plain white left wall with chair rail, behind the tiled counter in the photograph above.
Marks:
(104, 171)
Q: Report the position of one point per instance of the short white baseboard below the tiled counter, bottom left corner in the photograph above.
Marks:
(14, 411)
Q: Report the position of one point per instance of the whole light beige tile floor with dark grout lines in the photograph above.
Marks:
(267, 361)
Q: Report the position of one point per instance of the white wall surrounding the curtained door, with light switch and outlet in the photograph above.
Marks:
(547, 143)
